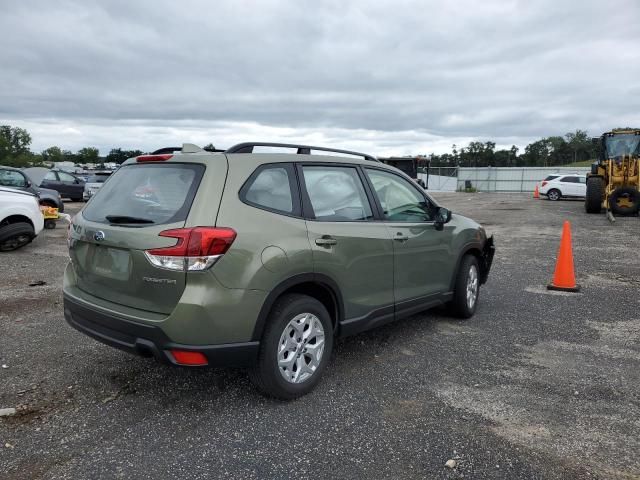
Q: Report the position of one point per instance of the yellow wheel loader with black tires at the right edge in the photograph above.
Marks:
(614, 181)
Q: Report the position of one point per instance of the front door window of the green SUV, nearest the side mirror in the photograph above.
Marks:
(400, 200)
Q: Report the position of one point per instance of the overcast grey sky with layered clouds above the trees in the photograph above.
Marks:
(397, 77)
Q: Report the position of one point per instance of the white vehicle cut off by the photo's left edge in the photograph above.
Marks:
(20, 218)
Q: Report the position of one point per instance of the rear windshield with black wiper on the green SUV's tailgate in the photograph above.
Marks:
(147, 193)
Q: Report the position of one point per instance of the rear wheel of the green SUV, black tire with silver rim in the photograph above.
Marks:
(287, 368)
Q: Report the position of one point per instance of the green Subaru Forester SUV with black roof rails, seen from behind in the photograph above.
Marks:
(259, 260)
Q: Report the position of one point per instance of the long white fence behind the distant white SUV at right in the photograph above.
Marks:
(509, 179)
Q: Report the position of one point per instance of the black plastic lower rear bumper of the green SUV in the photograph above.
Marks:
(149, 340)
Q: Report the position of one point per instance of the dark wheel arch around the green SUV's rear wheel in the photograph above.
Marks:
(321, 287)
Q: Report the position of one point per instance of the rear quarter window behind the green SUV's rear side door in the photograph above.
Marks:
(270, 187)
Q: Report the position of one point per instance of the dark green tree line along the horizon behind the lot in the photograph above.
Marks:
(573, 147)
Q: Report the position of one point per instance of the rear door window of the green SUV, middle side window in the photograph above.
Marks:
(336, 194)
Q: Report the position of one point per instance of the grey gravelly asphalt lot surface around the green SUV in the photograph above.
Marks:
(536, 385)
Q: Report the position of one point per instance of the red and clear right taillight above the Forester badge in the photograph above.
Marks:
(198, 248)
